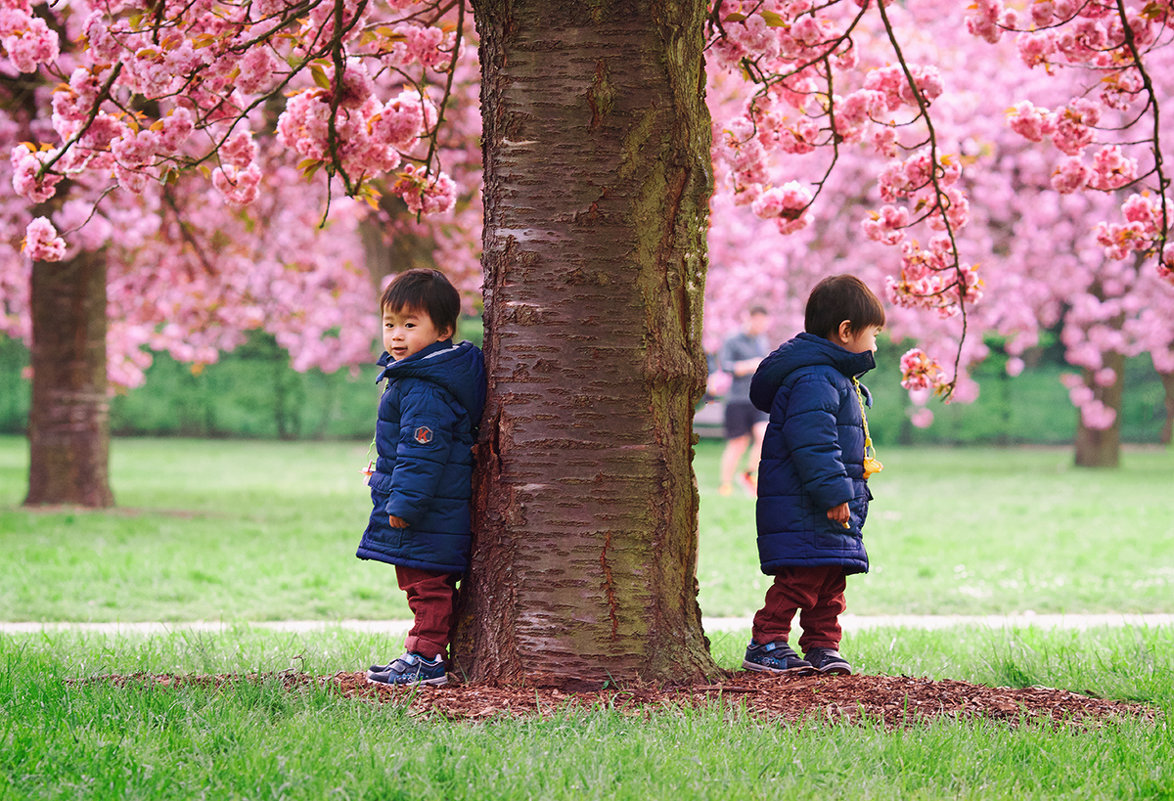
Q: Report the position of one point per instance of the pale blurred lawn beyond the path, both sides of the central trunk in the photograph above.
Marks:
(242, 530)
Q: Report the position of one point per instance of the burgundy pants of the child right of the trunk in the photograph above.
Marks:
(819, 593)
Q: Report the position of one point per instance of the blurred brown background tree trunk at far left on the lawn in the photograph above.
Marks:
(69, 423)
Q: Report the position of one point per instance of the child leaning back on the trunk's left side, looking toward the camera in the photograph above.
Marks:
(422, 483)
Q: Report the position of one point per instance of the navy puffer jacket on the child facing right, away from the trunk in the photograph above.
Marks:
(813, 456)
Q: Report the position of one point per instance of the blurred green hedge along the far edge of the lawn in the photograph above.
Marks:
(253, 393)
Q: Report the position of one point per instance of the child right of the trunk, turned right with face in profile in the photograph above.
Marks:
(813, 490)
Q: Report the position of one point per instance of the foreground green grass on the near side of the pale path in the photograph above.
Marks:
(251, 741)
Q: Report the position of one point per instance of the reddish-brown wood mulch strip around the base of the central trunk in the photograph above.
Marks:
(894, 701)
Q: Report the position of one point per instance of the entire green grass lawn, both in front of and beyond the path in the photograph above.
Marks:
(251, 531)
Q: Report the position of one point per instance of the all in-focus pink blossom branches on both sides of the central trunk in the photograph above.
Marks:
(158, 90)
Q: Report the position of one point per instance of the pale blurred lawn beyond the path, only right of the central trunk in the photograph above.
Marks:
(980, 531)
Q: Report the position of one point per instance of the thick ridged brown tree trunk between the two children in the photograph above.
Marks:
(597, 185)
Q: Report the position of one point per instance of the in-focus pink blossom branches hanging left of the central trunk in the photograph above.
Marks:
(159, 89)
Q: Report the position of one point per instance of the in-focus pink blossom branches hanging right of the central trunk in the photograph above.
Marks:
(840, 79)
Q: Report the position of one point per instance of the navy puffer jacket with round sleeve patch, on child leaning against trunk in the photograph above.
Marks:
(424, 472)
